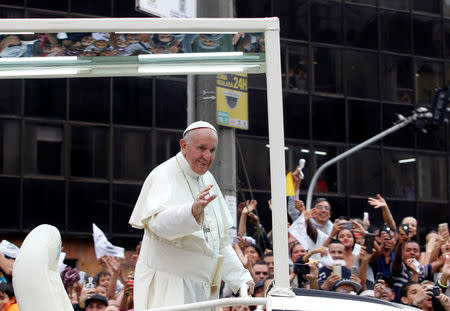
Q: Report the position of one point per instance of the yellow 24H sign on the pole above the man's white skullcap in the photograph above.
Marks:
(232, 100)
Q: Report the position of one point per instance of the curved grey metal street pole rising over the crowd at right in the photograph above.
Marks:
(390, 130)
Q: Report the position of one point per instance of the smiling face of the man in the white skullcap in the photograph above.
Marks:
(199, 149)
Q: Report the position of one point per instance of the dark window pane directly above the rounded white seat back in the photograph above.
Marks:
(43, 203)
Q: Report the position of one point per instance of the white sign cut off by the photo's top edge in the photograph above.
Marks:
(168, 8)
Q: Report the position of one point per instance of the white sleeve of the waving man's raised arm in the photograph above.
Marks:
(174, 222)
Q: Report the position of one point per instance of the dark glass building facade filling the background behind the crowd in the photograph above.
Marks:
(76, 151)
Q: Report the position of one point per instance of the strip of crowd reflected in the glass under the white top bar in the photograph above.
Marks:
(124, 44)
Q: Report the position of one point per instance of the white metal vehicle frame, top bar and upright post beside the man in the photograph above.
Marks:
(270, 28)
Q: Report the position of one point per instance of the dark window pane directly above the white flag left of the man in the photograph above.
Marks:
(88, 204)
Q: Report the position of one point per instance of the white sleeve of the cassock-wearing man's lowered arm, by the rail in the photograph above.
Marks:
(234, 273)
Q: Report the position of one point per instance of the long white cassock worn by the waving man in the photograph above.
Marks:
(181, 261)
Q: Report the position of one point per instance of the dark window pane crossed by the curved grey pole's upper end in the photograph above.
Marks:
(404, 137)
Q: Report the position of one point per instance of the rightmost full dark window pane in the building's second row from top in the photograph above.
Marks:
(427, 36)
